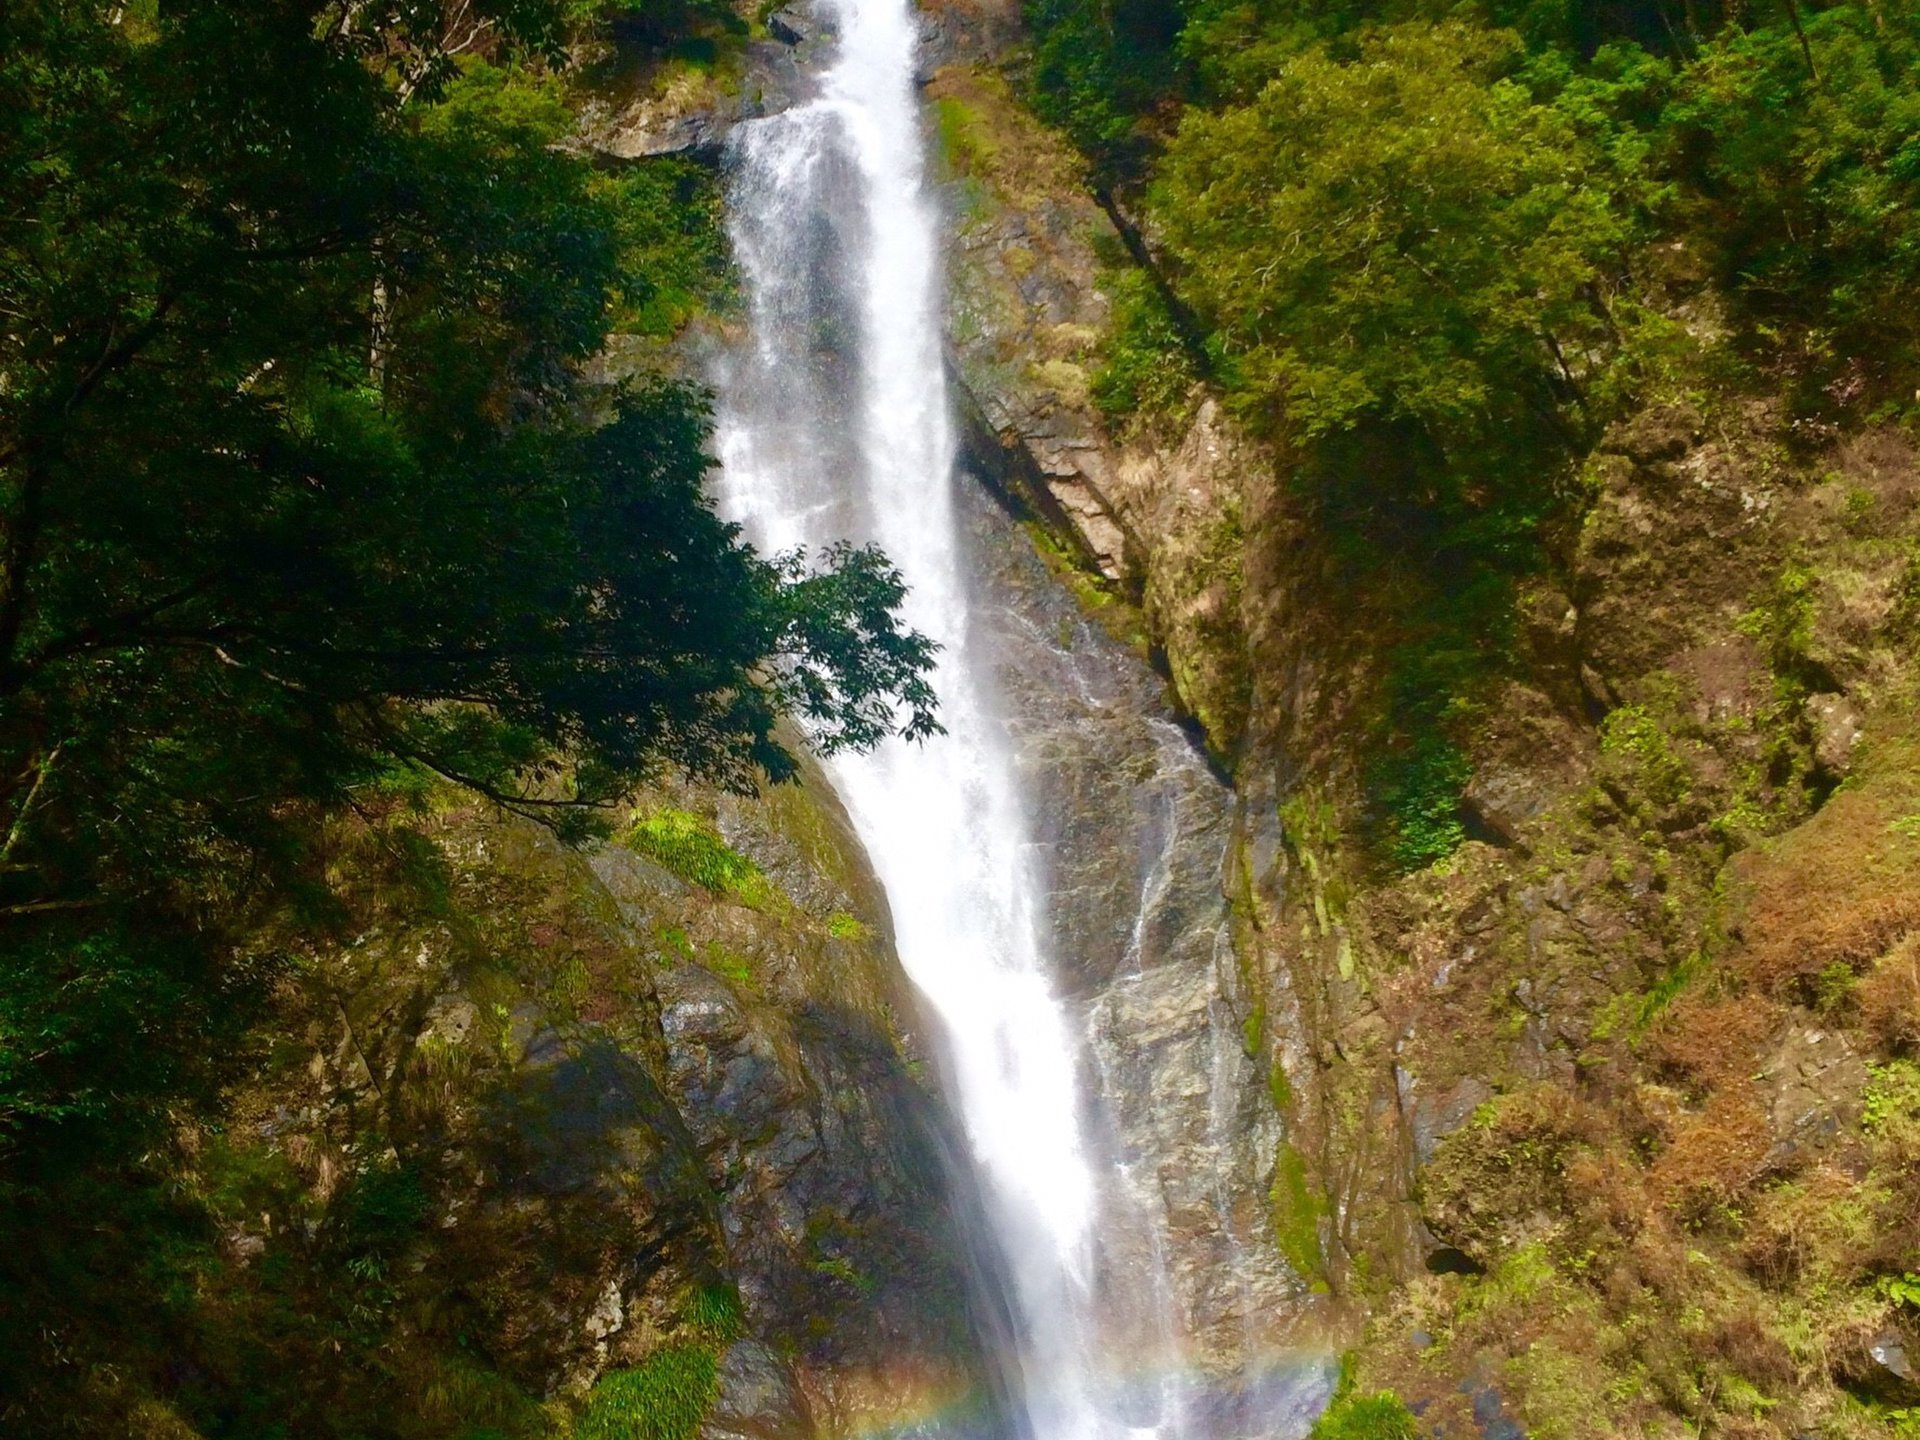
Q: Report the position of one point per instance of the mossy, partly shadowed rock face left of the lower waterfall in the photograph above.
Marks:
(652, 1097)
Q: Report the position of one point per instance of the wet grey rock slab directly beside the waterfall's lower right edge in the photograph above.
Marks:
(1136, 832)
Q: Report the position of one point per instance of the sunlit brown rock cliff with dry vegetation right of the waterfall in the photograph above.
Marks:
(1539, 1118)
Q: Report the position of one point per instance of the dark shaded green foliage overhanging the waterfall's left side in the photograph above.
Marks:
(306, 496)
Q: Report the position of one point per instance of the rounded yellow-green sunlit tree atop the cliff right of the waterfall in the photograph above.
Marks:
(1410, 243)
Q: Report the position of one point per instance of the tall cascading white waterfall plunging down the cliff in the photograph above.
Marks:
(834, 423)
